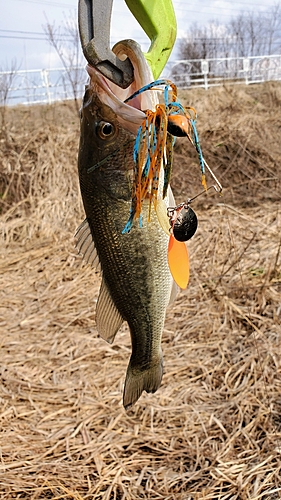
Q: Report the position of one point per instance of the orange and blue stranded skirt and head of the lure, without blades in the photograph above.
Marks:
(153, 149)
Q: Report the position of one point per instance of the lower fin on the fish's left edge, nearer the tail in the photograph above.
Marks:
(108, 318)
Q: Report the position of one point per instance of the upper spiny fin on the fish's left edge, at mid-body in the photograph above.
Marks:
(86, 246)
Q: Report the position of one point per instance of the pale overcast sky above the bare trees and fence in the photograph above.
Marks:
(22, 35)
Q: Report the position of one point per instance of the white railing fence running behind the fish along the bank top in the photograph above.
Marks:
(50, 85)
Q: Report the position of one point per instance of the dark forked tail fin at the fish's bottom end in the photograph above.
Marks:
(139, 380)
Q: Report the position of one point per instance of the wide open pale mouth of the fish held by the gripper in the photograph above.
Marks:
(130, 115)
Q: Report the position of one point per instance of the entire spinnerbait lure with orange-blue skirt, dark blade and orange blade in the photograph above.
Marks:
(153, 151)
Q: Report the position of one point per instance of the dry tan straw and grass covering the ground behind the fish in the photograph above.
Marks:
(213, 429)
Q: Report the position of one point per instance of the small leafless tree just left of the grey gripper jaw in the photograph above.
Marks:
(66, 42)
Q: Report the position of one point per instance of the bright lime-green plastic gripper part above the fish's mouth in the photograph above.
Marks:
(157, 18)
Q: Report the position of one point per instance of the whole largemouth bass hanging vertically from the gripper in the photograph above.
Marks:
(136, 281)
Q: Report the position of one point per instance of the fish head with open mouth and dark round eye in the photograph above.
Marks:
(107, 122)
